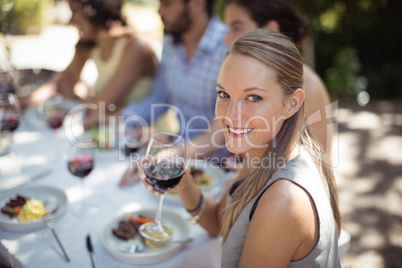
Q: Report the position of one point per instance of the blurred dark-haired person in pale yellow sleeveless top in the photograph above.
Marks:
(125, 61)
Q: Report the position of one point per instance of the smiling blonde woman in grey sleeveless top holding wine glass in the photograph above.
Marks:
(284, 212)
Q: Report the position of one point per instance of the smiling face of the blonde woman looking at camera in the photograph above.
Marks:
(250, 106)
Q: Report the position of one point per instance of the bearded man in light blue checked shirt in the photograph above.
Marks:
(192, 55)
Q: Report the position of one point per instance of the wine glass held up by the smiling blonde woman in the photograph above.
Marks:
(163, 165)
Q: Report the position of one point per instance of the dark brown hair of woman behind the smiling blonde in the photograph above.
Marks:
(262, 11)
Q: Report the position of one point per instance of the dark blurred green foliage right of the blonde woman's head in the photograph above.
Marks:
(365, 33)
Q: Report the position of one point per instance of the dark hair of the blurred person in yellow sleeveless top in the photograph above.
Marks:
(104, 12)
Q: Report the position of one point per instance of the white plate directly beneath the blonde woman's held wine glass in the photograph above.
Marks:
(148, 256)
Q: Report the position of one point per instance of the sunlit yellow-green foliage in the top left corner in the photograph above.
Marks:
(23, 16)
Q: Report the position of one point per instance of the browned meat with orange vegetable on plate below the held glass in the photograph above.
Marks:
(127, 228)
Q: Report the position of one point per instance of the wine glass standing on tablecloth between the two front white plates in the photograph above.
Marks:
(80, 162)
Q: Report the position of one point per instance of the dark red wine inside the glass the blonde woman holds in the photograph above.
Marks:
(164, 176)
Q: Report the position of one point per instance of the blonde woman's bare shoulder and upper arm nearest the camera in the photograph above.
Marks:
(284, 227)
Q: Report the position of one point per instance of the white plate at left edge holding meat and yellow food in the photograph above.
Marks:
(50, 195)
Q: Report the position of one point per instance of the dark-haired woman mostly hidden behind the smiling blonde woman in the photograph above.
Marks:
(242, 16)
